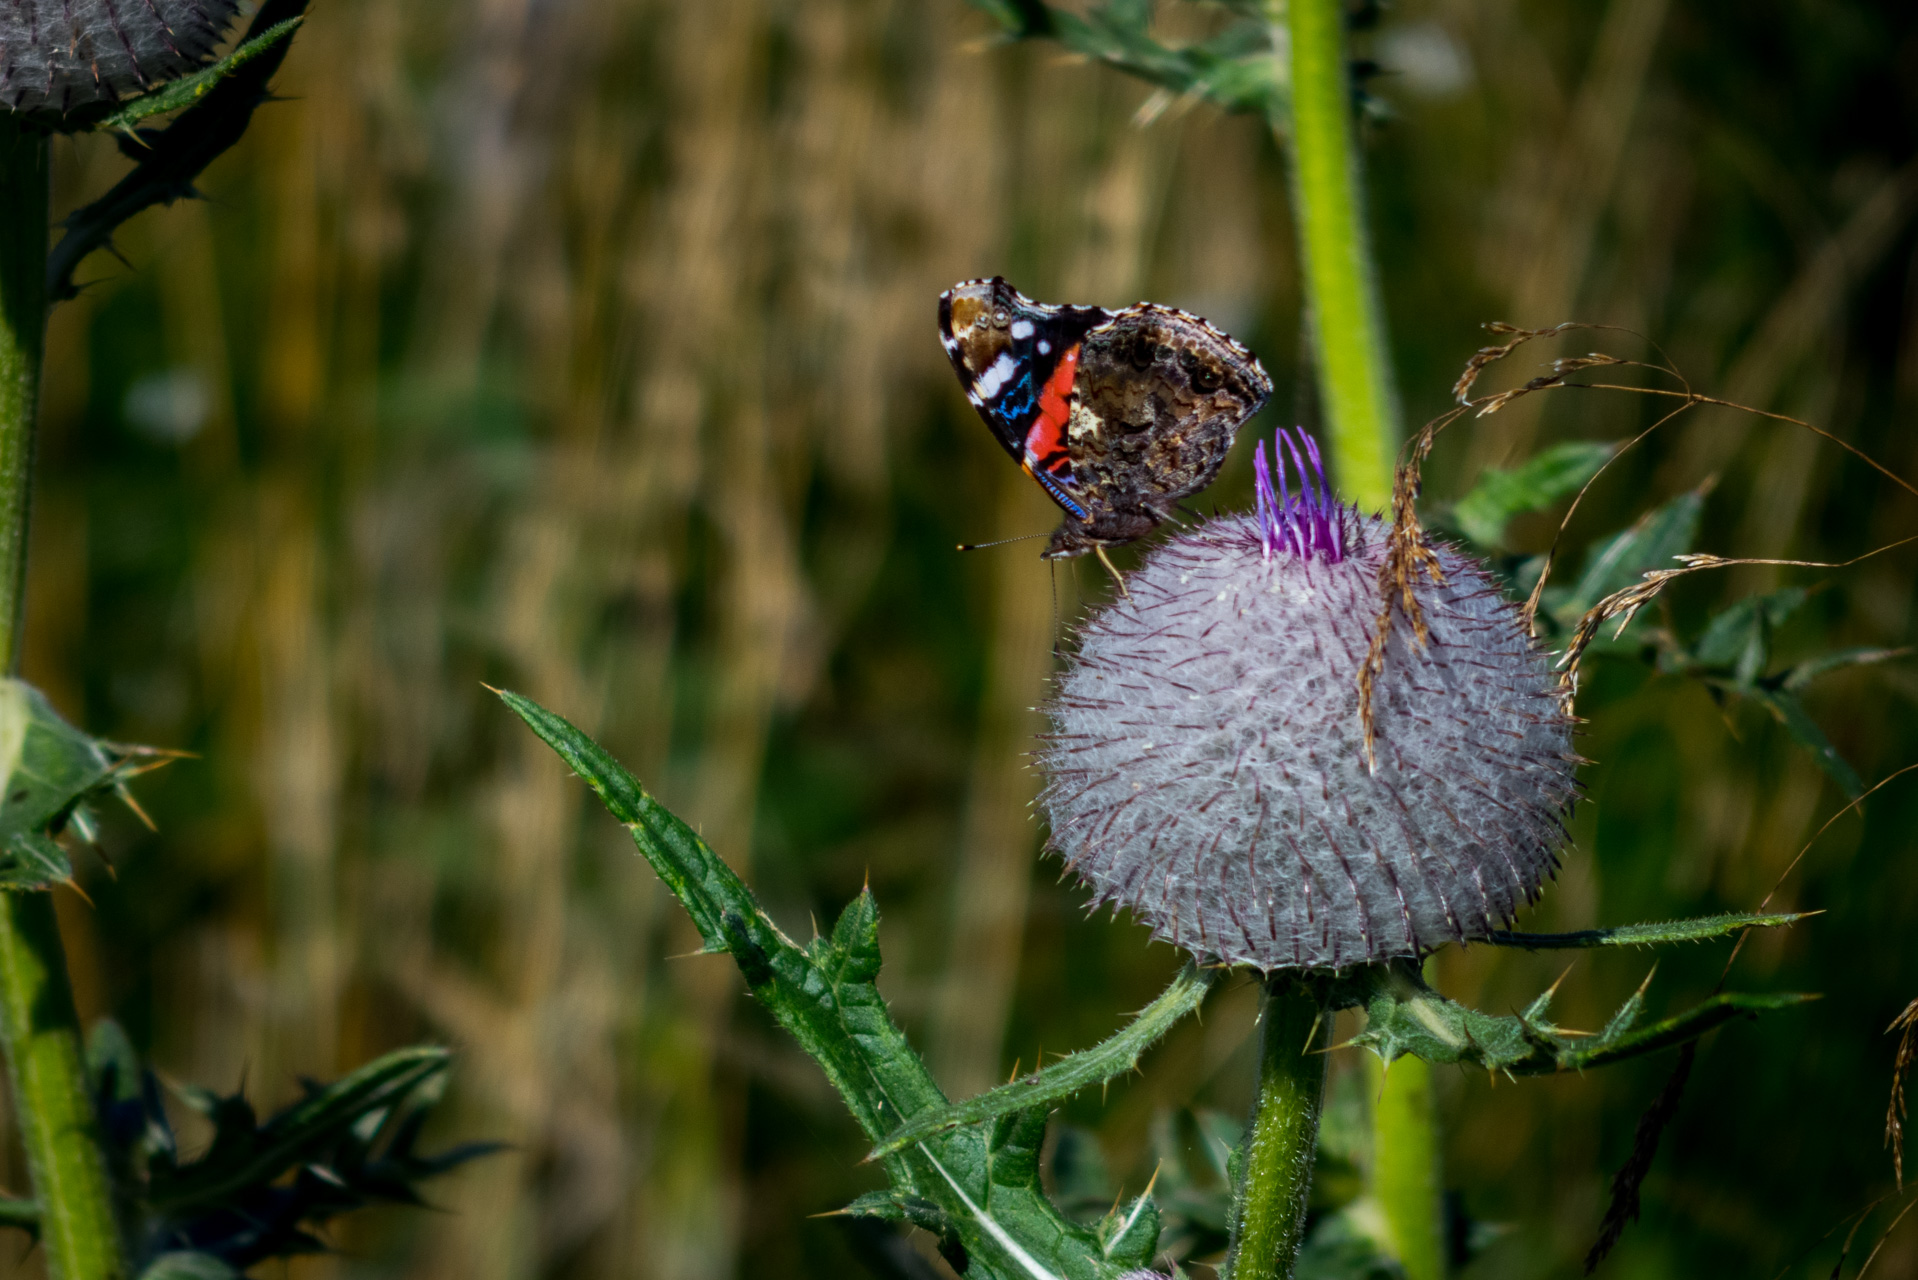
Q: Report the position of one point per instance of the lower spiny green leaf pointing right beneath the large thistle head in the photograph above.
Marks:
(1405, 1016)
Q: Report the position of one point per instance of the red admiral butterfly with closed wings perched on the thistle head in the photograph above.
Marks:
(1117, 414)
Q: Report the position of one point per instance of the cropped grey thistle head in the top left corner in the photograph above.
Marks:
(58, 57)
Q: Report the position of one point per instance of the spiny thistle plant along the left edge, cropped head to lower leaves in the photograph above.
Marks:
(112, 1193)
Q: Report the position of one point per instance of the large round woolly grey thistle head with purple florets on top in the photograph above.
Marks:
(1207, 763)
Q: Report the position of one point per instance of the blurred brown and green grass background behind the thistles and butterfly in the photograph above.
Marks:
(586, 346)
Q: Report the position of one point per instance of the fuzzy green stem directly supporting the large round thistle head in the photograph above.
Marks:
(1269, 1216)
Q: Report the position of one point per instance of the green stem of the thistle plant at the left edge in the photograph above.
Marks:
(37, 1020)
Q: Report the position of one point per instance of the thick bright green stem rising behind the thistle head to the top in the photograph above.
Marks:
(1342, 287)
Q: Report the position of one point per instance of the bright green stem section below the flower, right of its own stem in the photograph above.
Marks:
(1405, 1164)
